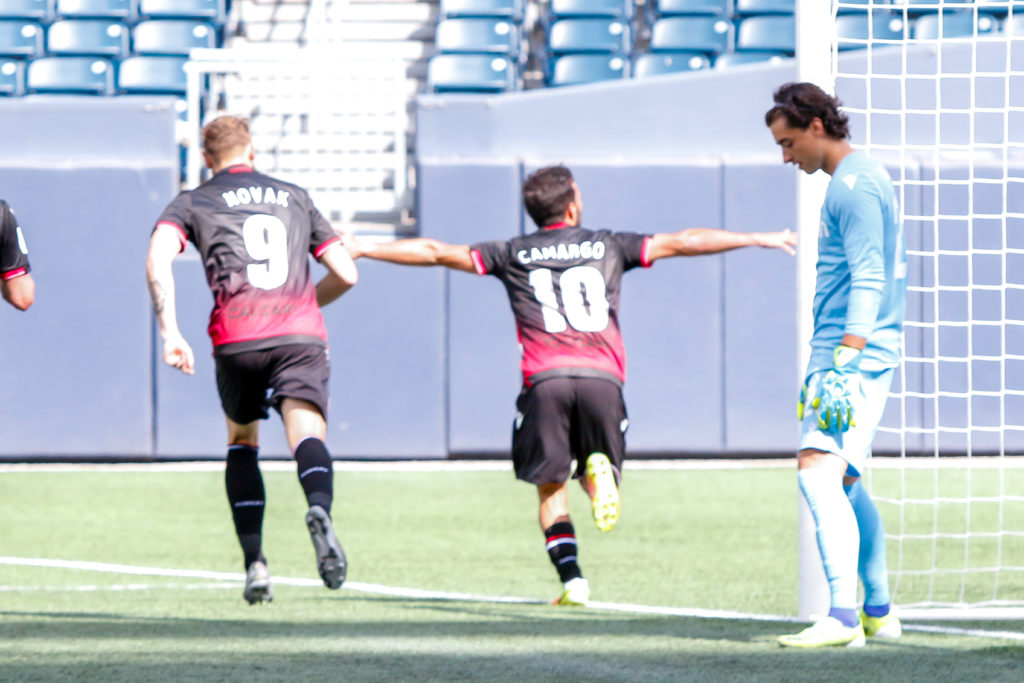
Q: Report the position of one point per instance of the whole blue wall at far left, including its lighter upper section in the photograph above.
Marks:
(77, 366)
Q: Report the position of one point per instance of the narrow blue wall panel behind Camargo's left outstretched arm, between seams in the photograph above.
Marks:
(464, 203)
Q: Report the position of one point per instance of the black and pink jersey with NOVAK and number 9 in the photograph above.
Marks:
(254, 235)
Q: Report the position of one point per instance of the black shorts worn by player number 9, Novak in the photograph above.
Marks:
(252, 382)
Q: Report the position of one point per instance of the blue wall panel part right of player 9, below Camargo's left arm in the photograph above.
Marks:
(388, 364)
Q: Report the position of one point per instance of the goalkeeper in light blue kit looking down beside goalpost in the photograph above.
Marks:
(859, 320)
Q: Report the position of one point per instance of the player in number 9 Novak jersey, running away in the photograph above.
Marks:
(254, 235)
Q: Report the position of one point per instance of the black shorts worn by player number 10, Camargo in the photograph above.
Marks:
(565, 419)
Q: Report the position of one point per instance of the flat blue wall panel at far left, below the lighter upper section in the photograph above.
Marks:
(77, 367)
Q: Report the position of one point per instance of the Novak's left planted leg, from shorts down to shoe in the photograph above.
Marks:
(242, 388)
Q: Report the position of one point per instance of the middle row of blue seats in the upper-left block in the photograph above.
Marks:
(100, 37)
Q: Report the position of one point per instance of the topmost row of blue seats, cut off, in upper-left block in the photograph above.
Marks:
(129, 11)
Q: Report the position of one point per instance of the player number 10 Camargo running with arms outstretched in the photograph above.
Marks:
(564, 284)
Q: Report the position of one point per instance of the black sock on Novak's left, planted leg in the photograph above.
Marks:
(247, 498)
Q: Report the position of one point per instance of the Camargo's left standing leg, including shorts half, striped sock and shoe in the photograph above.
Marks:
(541, 455)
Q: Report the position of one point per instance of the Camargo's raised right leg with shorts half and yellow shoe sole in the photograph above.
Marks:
(599, 436)
